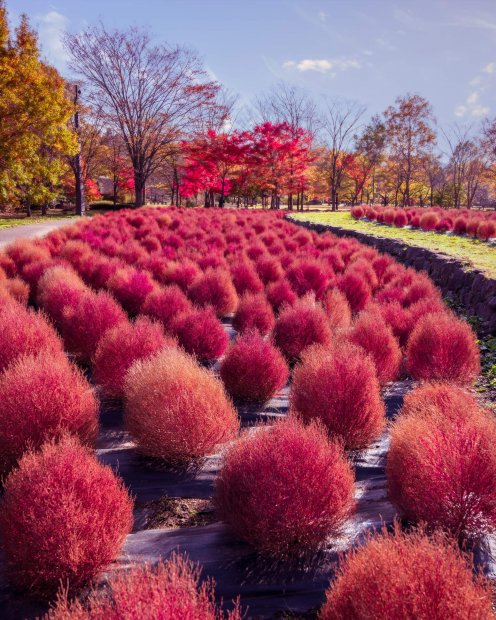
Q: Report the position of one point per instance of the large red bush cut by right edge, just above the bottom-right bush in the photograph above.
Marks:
(441, 469)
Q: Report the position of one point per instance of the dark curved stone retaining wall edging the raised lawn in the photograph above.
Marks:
(475, 291)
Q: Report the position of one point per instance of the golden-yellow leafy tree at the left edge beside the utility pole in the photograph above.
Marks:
(34, 117)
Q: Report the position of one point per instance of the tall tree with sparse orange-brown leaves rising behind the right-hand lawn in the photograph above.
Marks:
(410, 137)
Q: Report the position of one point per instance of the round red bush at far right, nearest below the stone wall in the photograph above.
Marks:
(443, 348)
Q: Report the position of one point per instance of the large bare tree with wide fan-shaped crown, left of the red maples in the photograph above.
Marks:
(149, 93)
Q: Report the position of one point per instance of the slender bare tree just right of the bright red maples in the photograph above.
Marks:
(341, 121)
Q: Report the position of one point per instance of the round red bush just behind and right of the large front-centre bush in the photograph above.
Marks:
(339, 387)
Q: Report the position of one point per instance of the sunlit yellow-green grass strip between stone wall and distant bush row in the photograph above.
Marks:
(471, 252)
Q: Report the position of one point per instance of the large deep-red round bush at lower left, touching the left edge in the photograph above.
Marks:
(64, 517)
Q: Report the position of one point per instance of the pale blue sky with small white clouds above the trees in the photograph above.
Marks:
(364, 50)
